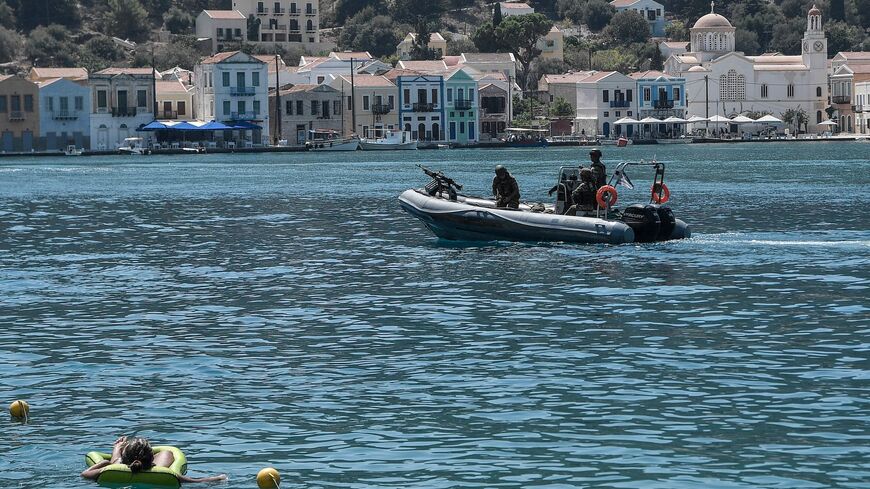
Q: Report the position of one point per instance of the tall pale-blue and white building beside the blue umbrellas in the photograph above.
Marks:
(232, 88)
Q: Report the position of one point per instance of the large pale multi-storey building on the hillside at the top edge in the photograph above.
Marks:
(286, 23)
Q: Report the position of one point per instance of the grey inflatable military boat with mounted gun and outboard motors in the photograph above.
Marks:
(454, 216)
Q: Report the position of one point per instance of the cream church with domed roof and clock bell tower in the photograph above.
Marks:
(720, 80)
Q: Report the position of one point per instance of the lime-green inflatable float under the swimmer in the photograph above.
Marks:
(120, 474)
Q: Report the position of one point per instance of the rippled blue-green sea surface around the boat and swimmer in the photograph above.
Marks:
(259, 310)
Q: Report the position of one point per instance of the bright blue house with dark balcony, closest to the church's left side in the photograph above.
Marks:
(660, 96)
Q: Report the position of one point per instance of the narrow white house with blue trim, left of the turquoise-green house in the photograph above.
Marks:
(421, 110)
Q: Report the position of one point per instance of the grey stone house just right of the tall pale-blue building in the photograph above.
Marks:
(305, 108)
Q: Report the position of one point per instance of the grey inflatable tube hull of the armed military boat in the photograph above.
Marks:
(470, 219)
